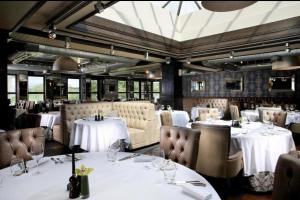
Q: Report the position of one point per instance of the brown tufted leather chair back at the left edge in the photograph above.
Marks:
(17, 143)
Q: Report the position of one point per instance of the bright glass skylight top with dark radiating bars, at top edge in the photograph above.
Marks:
(179, 7)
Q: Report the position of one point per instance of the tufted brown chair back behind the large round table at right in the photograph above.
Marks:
(278, 118)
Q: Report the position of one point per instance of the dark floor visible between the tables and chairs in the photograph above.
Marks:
(235, 190)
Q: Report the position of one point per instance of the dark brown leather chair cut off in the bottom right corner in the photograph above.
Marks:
(287, 178)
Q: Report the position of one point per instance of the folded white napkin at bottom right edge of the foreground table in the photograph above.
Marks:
(201, 193)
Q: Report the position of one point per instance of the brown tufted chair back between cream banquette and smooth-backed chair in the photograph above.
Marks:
(180, 144)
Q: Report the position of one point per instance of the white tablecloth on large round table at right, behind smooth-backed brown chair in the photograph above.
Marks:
(260, 145)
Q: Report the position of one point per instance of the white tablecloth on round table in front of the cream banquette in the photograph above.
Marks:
(98, 135)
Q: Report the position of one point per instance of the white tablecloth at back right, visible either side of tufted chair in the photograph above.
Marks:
(252, 115)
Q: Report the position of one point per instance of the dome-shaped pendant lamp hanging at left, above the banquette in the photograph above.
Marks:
(65, 65)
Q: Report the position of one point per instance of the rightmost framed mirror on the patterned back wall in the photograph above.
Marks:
(284, 83)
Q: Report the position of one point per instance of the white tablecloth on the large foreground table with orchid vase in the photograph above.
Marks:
(124, 180)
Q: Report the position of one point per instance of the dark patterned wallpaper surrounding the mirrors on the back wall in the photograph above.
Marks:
(255, 84)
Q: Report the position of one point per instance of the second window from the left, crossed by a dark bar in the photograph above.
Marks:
(35, 88)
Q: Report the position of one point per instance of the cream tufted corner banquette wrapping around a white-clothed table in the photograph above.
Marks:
(143, 127)
